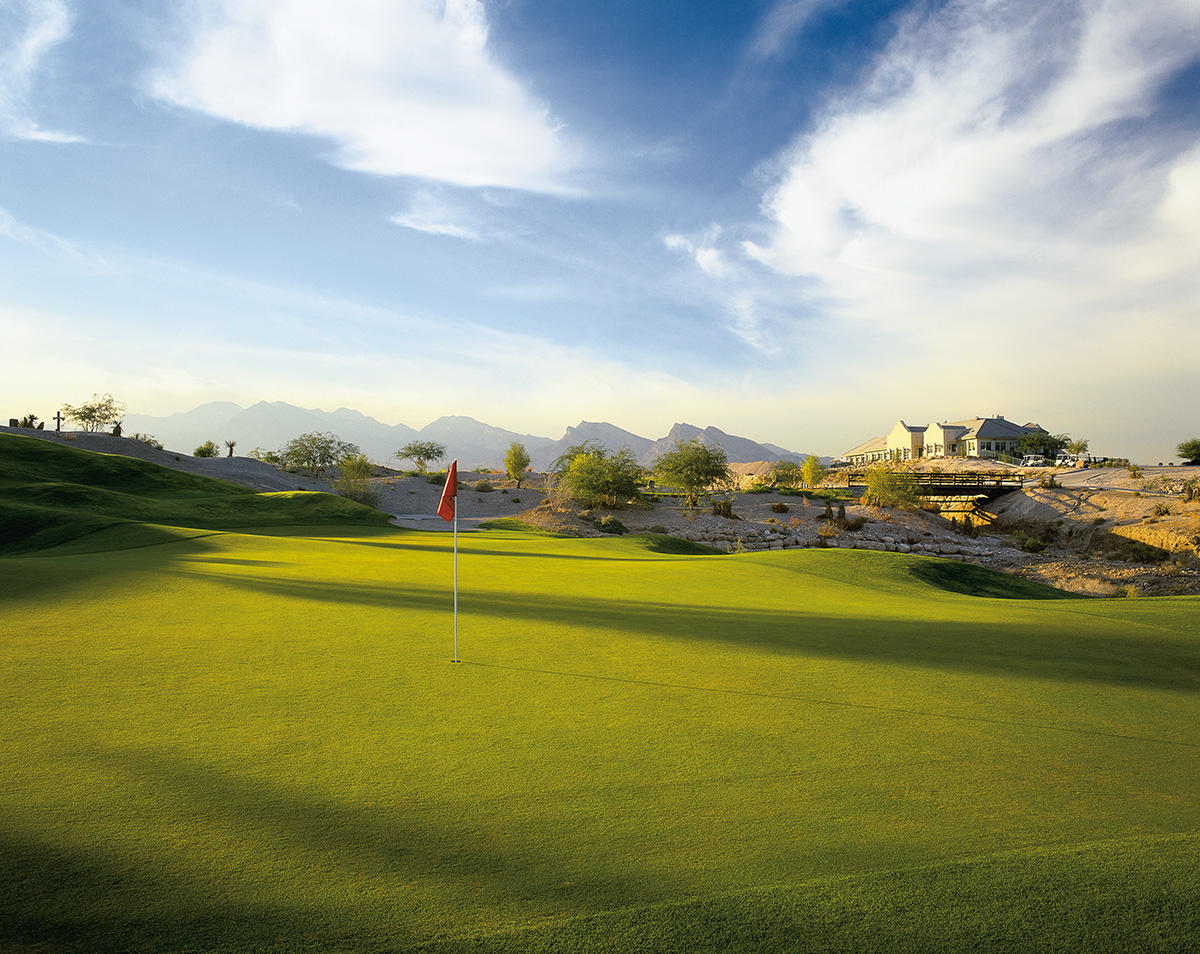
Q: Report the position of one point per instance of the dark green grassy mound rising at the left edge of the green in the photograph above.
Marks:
(51, 495)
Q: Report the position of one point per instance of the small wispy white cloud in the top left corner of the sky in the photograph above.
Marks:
(29, 32)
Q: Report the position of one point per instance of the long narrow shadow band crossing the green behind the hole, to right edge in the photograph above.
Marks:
(1066, 649)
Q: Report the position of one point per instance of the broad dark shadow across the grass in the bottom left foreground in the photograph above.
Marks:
(290, 869)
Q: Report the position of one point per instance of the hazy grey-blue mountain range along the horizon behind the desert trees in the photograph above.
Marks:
(269, 425)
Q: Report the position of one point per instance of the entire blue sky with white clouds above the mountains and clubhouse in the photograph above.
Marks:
(795, 220)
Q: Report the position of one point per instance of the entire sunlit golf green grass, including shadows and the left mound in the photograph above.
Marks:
(231, 723)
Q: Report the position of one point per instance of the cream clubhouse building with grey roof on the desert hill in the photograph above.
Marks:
(975, 437)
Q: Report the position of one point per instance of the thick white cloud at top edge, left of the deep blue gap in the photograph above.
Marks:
(401, 87)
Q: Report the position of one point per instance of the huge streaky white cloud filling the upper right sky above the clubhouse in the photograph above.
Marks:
(1005, 167)
